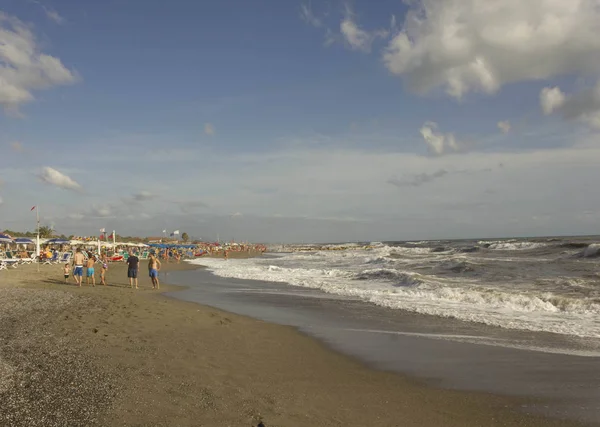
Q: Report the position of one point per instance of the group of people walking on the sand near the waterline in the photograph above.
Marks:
(133, 264)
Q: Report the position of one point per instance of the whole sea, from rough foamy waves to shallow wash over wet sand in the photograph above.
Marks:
(509, 316)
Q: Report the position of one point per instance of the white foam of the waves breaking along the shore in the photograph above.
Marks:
(373, 277)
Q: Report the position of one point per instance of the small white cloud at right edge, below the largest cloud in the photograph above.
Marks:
(583, 106)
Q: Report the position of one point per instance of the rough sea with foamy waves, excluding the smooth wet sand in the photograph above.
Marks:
(547, 285)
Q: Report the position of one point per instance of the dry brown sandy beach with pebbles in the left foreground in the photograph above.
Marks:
(113, 356)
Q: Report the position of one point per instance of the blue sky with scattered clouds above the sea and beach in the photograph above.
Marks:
(301, 121)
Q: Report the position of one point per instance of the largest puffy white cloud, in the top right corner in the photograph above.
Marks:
(480, 45)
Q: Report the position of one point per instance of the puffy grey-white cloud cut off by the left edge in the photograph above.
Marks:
(23, 67)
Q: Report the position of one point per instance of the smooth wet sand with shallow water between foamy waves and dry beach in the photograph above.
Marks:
(445, 352)
